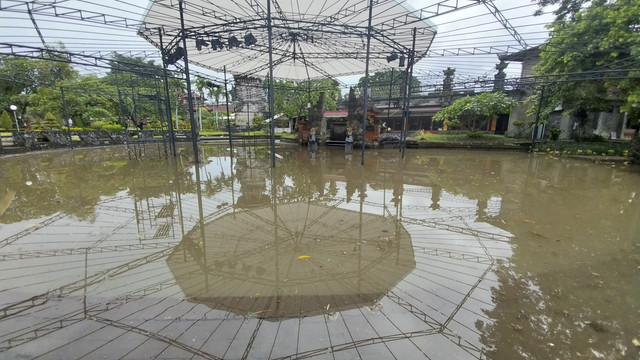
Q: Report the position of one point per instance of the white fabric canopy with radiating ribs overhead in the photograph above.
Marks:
(311, 39)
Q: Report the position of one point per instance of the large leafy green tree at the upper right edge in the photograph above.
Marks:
(601, 36)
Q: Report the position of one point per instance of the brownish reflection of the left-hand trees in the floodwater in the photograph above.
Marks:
(74, 182)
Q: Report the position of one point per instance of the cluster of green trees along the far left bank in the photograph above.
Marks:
(37, 88)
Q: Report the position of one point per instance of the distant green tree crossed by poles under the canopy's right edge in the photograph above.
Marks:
(379, 85)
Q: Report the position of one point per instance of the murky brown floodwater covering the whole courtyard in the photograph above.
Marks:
(440, 255)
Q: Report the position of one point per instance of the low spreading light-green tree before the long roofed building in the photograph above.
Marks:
(474, 112)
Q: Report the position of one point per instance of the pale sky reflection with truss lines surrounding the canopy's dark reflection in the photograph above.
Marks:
(116, 284)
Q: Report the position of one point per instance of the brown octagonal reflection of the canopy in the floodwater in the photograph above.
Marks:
(321, 256)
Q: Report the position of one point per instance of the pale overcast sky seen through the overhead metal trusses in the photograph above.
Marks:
(469, 29)
